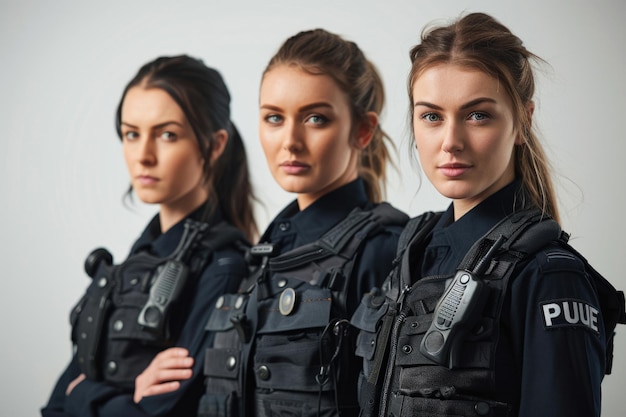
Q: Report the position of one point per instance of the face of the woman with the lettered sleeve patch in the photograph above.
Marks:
(464, 133)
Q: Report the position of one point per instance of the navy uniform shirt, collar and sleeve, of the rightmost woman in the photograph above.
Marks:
(545, 365)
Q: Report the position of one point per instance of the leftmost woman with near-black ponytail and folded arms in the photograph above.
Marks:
(183, 153)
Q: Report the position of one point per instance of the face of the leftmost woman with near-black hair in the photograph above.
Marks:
(161, 151)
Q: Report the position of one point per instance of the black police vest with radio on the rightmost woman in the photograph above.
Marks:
(409, 328)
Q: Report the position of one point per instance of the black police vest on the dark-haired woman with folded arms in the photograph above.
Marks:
(125, 317)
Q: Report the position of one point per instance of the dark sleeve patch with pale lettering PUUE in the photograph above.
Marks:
(570, 313)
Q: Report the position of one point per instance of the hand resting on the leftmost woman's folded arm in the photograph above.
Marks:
(164, 373)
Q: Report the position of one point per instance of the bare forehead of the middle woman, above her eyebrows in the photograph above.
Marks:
(291, 84)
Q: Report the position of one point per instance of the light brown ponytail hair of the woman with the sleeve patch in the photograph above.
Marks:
(481, 42)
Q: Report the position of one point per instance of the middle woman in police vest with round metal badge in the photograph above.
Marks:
(284, 346)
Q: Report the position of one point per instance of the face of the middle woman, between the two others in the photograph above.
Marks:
(305, 128)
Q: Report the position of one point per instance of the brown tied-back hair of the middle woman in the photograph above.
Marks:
(321, 52)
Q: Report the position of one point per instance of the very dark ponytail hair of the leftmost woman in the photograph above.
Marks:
(203, 96)
